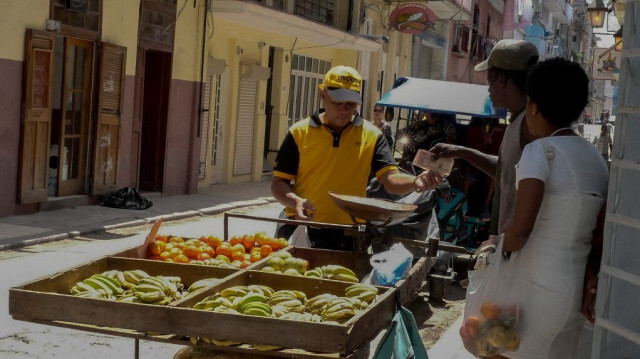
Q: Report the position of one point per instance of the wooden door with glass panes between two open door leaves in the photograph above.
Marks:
(76, 91)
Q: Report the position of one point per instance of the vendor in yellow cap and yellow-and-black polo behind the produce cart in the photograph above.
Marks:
(335, 150)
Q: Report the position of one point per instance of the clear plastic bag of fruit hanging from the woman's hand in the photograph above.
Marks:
(491, 314)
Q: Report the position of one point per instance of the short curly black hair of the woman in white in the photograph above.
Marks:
(560, 89)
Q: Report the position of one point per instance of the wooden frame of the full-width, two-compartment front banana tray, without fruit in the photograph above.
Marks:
(46, 301)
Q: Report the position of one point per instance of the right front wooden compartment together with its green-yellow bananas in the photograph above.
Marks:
(311, 313)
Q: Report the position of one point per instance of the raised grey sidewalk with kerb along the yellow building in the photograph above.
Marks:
(46, 226)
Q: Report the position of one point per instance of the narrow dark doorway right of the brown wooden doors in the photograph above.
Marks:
(155, 105)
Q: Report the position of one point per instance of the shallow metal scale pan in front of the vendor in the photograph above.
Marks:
(372, 209)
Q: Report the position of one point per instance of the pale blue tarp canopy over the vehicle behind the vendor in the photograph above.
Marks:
(440, 96)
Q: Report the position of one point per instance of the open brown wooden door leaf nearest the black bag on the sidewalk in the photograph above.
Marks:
(109, 113)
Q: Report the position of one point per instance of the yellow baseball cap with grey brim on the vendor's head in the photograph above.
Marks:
(343, 84)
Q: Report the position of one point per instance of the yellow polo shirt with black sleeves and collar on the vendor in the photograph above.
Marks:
(320, 160)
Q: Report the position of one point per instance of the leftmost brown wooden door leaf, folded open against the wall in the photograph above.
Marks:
(36, 123)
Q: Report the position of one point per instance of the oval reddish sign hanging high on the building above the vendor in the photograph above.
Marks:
(412, 18)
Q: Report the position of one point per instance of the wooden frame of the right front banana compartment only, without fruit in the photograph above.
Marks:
(317, 337)
